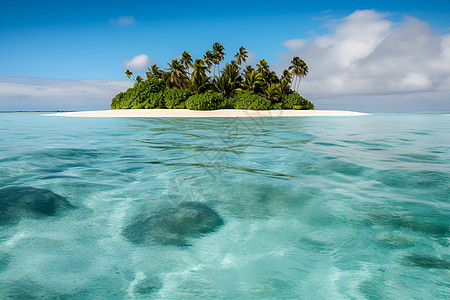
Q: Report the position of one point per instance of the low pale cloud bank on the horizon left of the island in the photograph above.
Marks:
(25, 93)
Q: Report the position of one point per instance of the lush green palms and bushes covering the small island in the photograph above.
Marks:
(200, 84)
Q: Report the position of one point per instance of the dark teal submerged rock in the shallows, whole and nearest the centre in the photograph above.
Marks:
(170, 225)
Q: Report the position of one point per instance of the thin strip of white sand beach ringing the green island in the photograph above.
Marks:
(223, 113)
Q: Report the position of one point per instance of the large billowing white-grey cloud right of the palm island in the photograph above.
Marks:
(367, 54)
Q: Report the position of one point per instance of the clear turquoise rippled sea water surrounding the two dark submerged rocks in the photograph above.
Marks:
(313, 208)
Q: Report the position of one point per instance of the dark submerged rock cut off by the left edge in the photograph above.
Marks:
(29, 202)
